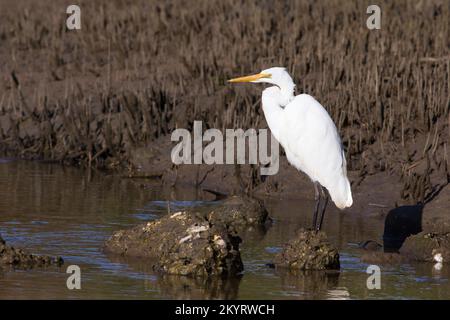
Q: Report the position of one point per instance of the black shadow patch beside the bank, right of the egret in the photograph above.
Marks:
(400, 223)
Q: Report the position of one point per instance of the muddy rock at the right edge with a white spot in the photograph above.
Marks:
(429, 247)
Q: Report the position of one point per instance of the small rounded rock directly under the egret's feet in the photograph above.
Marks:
(308, 251)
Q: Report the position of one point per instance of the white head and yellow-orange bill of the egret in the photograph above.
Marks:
(277, 76)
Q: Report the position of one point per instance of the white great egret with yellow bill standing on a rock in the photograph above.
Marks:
(308, 135)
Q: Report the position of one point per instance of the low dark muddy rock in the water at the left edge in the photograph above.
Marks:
(18, 258)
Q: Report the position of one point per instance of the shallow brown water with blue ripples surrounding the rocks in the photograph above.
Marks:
(54, 210)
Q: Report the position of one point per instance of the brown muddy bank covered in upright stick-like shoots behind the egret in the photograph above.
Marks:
(138, 69)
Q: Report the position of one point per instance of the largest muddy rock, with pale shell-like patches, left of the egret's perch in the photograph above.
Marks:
(182, 243)
